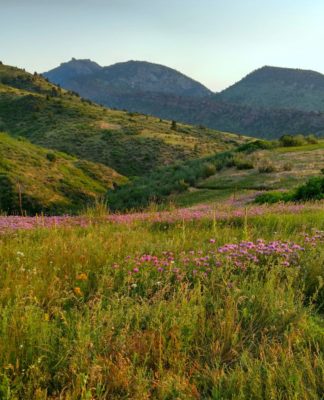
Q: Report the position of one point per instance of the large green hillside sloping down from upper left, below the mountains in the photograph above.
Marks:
(130, 143)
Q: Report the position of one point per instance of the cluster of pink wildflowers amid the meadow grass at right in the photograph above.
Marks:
(202, 262)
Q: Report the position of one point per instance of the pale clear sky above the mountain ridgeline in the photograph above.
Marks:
(216, 42)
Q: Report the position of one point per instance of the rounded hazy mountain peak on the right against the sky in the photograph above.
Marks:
(278, 88)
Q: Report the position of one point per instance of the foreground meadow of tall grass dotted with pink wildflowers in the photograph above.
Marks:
(225, 304)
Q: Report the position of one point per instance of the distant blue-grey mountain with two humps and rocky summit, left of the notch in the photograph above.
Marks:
(110, 85)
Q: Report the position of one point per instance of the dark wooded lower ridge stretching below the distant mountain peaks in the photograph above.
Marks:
(246, 120)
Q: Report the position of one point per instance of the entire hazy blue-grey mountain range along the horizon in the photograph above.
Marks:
(291, 106)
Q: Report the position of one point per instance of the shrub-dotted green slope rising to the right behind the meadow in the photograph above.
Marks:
(263, 166)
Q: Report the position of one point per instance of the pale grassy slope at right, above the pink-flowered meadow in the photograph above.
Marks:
(292, 166)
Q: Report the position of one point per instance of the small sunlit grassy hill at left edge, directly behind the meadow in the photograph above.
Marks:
(35, 179)
